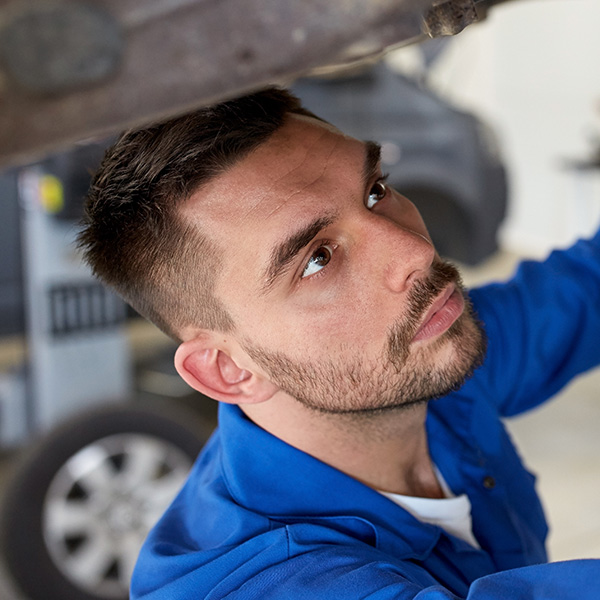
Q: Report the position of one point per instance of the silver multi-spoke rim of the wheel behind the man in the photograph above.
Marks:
(101, 504)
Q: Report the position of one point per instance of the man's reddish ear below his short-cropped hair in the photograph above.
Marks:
(214, 373)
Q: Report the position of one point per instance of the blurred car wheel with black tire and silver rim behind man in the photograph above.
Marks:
(81, 501)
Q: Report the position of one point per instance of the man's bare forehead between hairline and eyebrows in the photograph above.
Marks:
(297, 175)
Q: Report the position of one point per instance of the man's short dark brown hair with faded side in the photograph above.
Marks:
(133, 237)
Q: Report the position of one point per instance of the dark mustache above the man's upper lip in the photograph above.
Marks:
(420, 298)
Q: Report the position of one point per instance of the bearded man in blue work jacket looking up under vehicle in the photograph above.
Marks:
(308, 299)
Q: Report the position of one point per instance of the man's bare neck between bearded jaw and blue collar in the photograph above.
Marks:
(385, 450)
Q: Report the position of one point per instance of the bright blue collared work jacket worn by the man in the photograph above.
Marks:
(261, 520)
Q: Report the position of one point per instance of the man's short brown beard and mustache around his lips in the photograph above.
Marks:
(402, 376)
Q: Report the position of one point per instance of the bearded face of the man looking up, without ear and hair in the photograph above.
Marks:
(331, 278)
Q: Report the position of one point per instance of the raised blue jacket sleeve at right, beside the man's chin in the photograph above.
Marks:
(543, 328)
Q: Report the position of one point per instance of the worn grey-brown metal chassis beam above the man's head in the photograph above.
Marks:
(74, 69)
